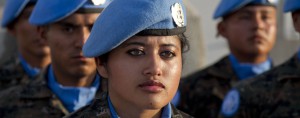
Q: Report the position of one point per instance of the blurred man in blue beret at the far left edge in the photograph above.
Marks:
(33, 53)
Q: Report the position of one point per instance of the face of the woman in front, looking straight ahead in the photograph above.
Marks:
(143, 72)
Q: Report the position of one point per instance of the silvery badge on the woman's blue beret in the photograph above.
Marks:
(177, 14)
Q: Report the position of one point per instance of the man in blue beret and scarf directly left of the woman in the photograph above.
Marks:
(70, 82)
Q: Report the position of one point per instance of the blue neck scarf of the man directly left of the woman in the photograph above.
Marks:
(73, 97)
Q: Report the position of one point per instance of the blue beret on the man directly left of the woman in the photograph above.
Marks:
(50, 11)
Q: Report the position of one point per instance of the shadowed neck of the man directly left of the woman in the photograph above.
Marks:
(65, 79)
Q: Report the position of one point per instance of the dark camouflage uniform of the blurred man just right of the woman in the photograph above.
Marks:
(202, 93)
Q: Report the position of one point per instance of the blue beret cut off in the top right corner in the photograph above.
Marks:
(291, 5)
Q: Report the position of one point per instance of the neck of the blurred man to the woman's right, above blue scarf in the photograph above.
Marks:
(253, 59)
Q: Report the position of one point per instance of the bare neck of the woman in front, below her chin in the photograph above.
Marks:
(125, 110)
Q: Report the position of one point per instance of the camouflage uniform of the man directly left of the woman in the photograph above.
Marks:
(34, 100)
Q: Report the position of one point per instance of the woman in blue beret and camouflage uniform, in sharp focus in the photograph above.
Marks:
(138, 46)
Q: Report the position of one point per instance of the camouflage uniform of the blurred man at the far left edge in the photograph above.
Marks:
(12, 74)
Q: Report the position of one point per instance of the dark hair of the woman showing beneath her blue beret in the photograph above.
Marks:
(185, 47)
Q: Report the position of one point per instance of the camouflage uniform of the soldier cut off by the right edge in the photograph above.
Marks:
(275, 93)
